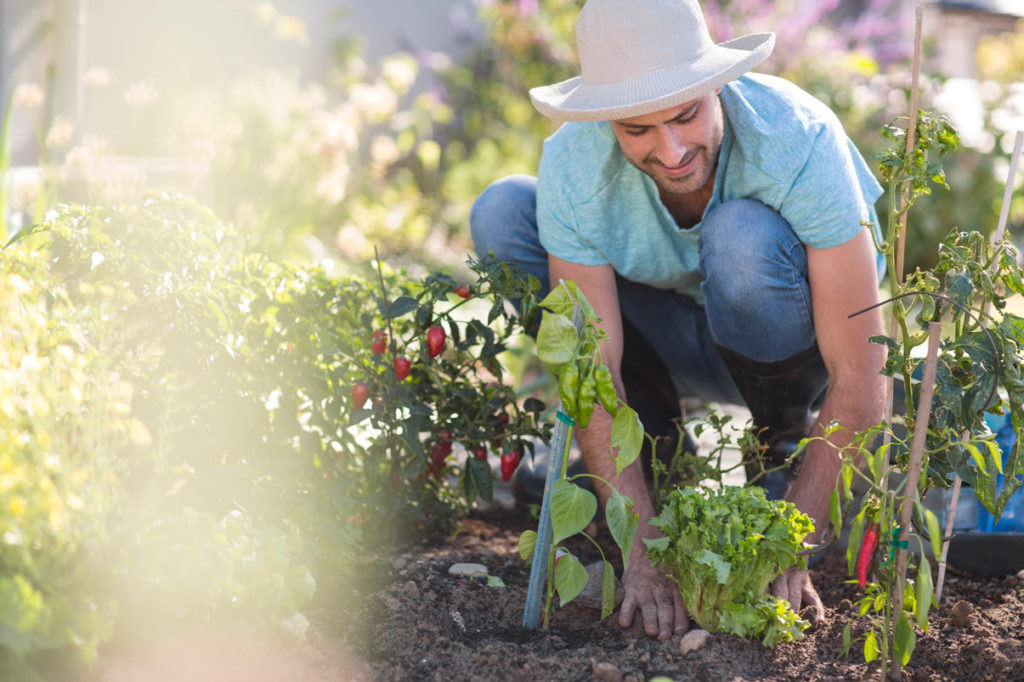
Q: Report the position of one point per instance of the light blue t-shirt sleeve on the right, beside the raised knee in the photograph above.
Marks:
(832, 193)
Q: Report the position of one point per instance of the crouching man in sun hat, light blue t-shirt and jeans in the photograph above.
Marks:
(713, 220)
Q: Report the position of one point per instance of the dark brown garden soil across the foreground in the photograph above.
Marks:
(421, 623)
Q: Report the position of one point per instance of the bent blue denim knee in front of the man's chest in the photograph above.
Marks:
(756, 289)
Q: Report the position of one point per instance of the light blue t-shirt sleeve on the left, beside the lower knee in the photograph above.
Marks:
(558, 225)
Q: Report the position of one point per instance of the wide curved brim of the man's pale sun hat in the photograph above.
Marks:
(654, 92)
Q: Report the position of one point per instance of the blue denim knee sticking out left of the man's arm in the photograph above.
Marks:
(503, 221)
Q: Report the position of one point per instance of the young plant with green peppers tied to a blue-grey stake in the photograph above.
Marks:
(583, 381)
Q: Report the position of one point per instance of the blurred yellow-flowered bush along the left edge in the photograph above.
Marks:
(63, 412)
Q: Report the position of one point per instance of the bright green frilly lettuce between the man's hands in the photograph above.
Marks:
(723, 548)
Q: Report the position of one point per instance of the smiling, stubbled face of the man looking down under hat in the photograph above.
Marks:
(678, 147)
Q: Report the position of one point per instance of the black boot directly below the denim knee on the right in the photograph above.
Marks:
(783, 398)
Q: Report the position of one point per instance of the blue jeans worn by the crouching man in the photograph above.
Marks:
(757, 296)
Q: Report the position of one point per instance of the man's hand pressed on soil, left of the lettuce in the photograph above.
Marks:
(658, 599)
